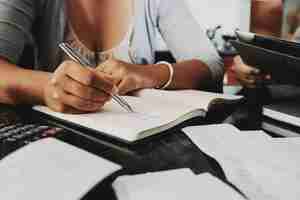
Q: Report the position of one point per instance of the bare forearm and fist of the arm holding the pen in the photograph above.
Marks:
(70, 89)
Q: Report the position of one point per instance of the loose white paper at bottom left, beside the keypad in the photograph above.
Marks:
(50, 169)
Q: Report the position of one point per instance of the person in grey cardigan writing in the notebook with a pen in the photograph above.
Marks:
(118, 37)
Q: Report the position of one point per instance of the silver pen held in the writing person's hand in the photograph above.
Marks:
(84, 62)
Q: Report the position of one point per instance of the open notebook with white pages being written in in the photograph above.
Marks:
(155, 111)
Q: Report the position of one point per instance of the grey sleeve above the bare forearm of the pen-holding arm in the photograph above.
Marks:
(16, 18)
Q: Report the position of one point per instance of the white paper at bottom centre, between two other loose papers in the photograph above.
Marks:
(173, 185)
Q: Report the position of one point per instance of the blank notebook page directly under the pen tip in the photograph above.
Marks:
(116, 121)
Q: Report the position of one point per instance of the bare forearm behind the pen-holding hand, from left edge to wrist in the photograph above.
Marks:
(20, 86)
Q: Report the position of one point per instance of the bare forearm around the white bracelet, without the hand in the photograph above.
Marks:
(191, 74)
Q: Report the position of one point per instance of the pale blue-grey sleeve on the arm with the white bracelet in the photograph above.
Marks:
(184, 36)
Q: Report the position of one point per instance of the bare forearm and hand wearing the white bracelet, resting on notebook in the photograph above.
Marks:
(129, 77)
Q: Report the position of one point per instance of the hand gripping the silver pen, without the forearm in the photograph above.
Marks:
(77, 89)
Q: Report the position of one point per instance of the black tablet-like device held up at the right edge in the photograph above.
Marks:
(274, 56)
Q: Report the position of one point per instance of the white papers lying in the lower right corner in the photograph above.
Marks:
(260, 166)
